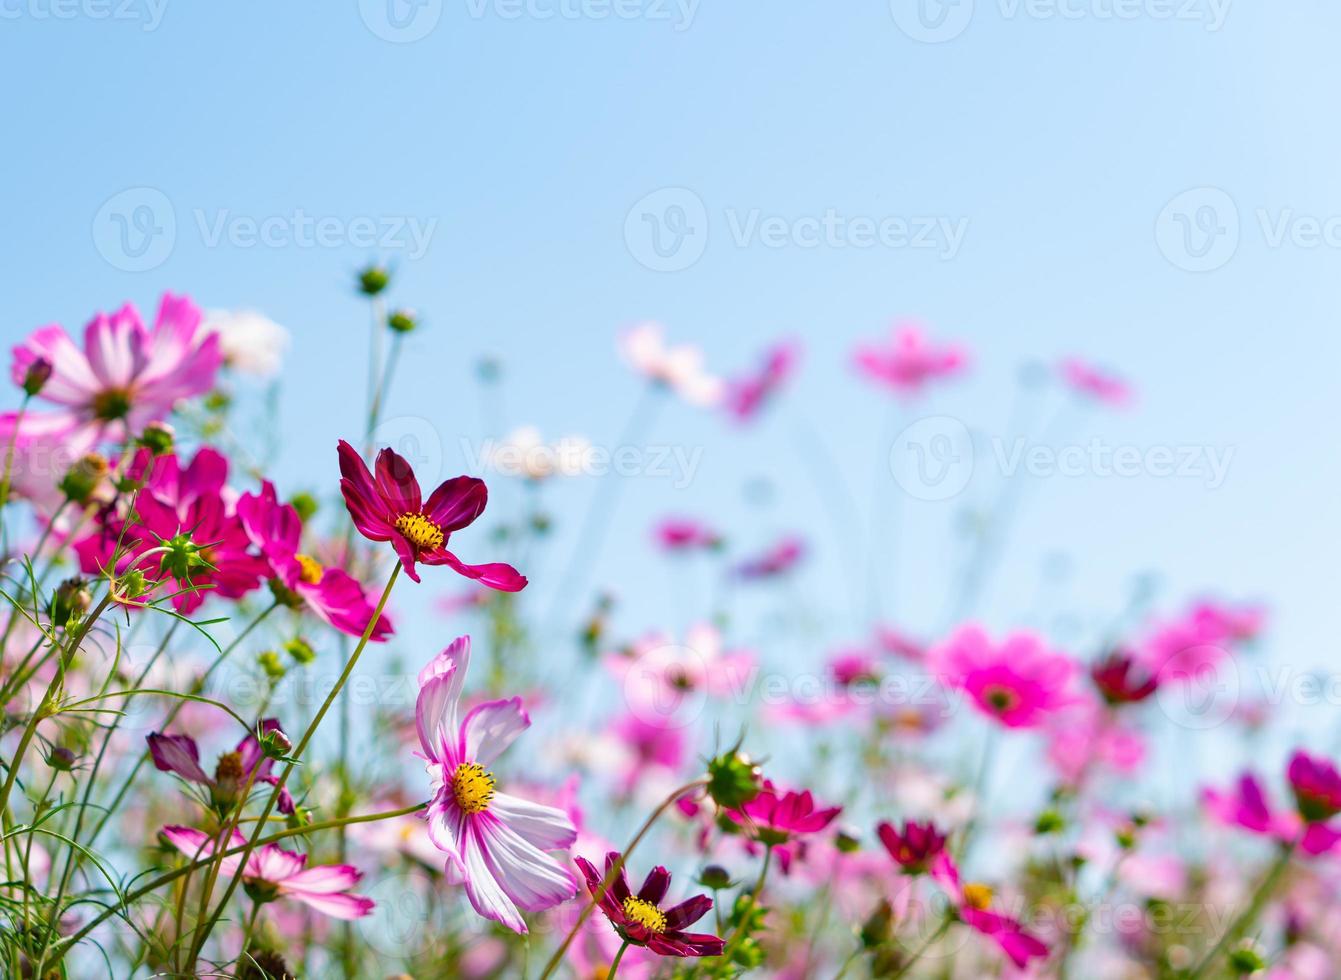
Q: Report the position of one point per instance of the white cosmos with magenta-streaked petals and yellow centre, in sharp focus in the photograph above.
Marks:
(497, 845)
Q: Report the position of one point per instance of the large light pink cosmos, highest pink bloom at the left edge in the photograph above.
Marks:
(124, 377)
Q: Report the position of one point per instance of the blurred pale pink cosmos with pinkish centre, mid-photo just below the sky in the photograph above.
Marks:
(660, 675)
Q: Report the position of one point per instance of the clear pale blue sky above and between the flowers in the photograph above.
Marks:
(529, 140)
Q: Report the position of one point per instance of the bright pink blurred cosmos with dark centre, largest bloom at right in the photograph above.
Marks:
(1018, 683)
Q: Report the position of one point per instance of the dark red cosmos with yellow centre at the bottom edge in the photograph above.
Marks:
(640, 918)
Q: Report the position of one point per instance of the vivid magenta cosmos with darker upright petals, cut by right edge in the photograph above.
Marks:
(1318, 794)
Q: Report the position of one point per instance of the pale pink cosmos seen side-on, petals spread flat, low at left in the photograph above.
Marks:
(274, 873)
